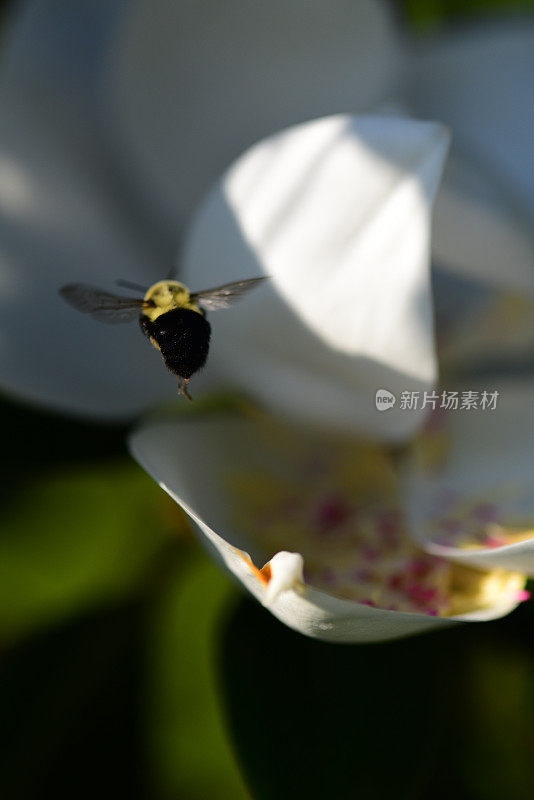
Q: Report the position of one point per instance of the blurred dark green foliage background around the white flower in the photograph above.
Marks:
(130, 667)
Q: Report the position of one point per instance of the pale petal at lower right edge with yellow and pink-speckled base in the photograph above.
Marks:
(470, 490)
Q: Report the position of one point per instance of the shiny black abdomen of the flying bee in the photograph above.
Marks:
(183, 336)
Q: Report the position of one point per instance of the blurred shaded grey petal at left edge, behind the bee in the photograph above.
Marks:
(59, 223)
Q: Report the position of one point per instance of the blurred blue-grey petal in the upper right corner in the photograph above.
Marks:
(479, 80)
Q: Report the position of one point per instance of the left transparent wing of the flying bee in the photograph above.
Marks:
(103, 306)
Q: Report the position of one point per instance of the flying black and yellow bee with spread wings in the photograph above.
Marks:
(172, 317)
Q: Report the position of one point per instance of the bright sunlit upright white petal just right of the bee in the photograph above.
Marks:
(336, 212)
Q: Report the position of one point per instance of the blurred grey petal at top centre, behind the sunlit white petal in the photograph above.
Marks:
(194, 85)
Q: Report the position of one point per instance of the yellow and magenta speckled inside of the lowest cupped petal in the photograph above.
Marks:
(338, 506)
